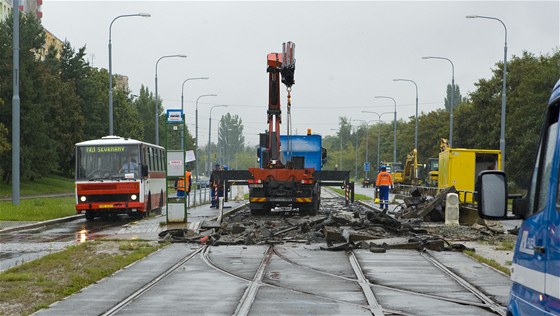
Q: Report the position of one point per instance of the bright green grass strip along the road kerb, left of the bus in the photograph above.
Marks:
(37, 209)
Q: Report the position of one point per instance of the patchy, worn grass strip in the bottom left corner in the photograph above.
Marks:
(37, 284)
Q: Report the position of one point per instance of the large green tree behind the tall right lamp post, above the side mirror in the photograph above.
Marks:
(530, 79)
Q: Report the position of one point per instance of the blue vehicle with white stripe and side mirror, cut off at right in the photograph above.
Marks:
(536, 260)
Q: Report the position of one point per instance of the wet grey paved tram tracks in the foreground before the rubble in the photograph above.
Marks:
(265, 275)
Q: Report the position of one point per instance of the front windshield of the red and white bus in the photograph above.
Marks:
(107, 162)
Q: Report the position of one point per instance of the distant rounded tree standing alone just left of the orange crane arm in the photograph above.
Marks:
(230, 137)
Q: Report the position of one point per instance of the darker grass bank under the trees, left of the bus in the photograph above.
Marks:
(46, 185)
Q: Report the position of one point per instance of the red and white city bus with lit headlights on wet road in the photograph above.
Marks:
(116, 175)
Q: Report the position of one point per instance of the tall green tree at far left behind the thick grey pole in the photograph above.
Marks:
(38, 149)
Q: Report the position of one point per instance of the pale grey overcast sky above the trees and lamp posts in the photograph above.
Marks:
(346, 52)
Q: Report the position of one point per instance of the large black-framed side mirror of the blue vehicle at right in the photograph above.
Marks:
(492, 194)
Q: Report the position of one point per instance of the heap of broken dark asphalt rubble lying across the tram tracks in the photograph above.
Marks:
(336, 228)
